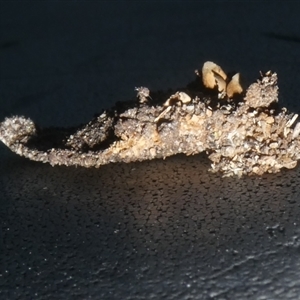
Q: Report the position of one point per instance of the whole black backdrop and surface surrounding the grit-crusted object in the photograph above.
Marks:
(164, 229)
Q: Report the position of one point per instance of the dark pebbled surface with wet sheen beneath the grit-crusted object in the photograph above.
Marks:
(163, 228)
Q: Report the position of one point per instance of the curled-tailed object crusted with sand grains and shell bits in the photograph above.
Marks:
(247, 136)
